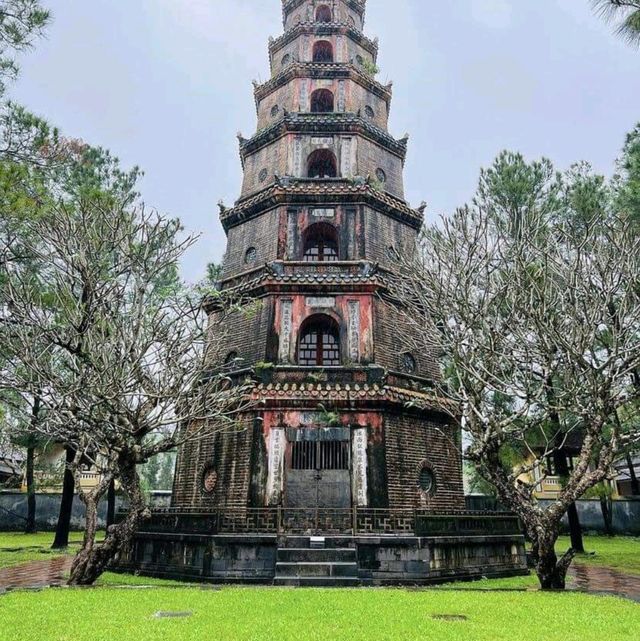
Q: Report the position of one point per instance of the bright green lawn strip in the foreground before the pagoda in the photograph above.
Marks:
(265, 614)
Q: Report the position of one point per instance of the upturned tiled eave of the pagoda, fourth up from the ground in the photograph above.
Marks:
(344, 118)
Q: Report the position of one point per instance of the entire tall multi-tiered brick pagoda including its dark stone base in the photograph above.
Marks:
(345, 439)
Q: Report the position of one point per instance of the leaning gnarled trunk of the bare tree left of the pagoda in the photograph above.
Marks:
(93, 560)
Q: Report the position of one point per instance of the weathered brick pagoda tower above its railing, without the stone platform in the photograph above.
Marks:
(346, 413)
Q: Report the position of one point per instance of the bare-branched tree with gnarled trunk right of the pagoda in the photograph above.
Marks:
(532, 294)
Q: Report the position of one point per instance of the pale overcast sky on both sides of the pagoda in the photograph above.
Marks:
(166, 84)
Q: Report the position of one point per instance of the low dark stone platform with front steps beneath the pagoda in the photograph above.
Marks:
(340, 561)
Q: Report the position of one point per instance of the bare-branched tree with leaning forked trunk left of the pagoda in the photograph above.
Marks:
(118, 345)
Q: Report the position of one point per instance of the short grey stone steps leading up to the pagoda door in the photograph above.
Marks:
(308, 562)
